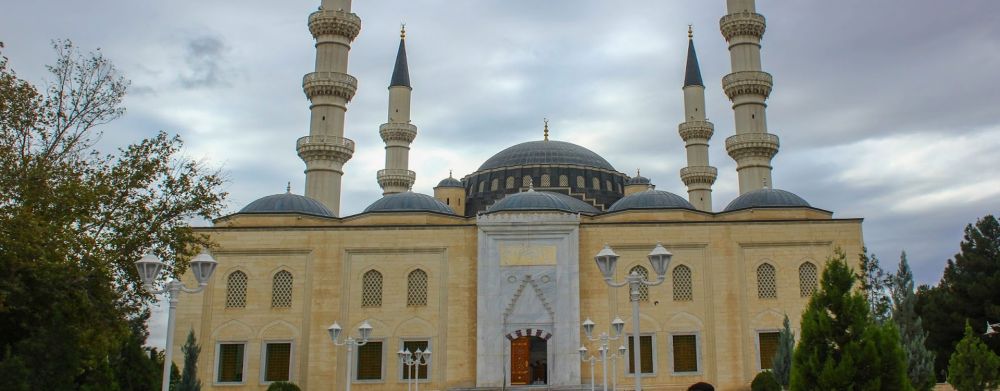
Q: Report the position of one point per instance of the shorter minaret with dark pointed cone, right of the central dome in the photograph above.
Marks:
(698, 176)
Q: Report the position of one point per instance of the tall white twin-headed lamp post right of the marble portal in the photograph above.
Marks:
(659, 259)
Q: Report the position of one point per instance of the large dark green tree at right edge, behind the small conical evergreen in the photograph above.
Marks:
(967, 292)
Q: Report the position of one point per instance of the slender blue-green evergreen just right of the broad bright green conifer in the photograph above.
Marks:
(919, 360)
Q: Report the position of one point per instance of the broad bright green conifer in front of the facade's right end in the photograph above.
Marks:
(841, 347)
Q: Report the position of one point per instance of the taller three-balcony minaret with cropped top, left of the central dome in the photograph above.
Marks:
(329, 89)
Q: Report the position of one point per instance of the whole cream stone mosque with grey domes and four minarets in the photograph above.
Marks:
(494, 273)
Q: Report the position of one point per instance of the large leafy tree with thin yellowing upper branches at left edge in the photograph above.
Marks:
(73, 221)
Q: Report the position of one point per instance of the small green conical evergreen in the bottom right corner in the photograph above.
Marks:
(973, 367)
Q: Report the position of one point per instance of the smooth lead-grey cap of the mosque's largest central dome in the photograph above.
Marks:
(546, 152)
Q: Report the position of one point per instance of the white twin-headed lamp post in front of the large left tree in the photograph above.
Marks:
(203, 265)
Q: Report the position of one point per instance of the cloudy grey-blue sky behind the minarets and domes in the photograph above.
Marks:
(887, 110)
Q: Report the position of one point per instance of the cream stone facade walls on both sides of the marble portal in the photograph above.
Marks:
(328, 256)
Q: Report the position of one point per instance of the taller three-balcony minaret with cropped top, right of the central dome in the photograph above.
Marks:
(748, 87)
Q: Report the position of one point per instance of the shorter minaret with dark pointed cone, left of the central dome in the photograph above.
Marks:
(397, 132)
